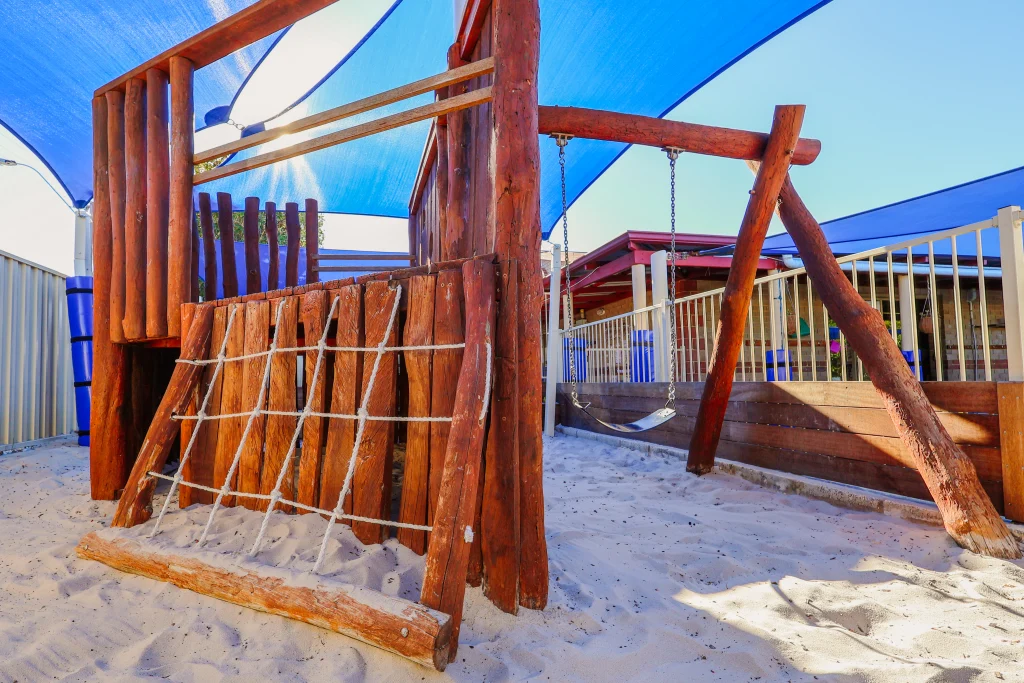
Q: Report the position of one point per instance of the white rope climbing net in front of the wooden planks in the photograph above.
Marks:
(362, 417)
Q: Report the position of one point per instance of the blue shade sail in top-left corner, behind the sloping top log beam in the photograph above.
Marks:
(55, 54)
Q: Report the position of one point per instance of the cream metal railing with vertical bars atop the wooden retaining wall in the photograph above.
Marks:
(957, 317)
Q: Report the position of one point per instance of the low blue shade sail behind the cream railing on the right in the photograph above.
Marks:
(903, 222)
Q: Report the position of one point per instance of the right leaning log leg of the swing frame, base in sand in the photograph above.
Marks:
(967, 511)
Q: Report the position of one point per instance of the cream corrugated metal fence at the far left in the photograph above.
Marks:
(37, 389)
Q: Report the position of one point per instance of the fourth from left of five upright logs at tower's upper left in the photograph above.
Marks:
(158, 188)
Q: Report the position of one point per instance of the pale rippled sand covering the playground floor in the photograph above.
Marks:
(656, 576)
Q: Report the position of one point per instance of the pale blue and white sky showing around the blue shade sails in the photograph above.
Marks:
(908, 97)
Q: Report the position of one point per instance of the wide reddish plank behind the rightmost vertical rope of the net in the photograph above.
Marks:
(372, 482)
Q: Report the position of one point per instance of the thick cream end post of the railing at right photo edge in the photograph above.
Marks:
(1012, 260)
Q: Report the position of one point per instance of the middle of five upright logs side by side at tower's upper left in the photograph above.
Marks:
(136, 225)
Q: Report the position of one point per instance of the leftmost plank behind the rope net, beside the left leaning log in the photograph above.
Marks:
(200, 466)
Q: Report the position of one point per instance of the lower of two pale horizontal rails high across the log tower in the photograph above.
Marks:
(349, 135)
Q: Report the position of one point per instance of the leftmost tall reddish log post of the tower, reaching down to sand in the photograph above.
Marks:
(108, 454)
